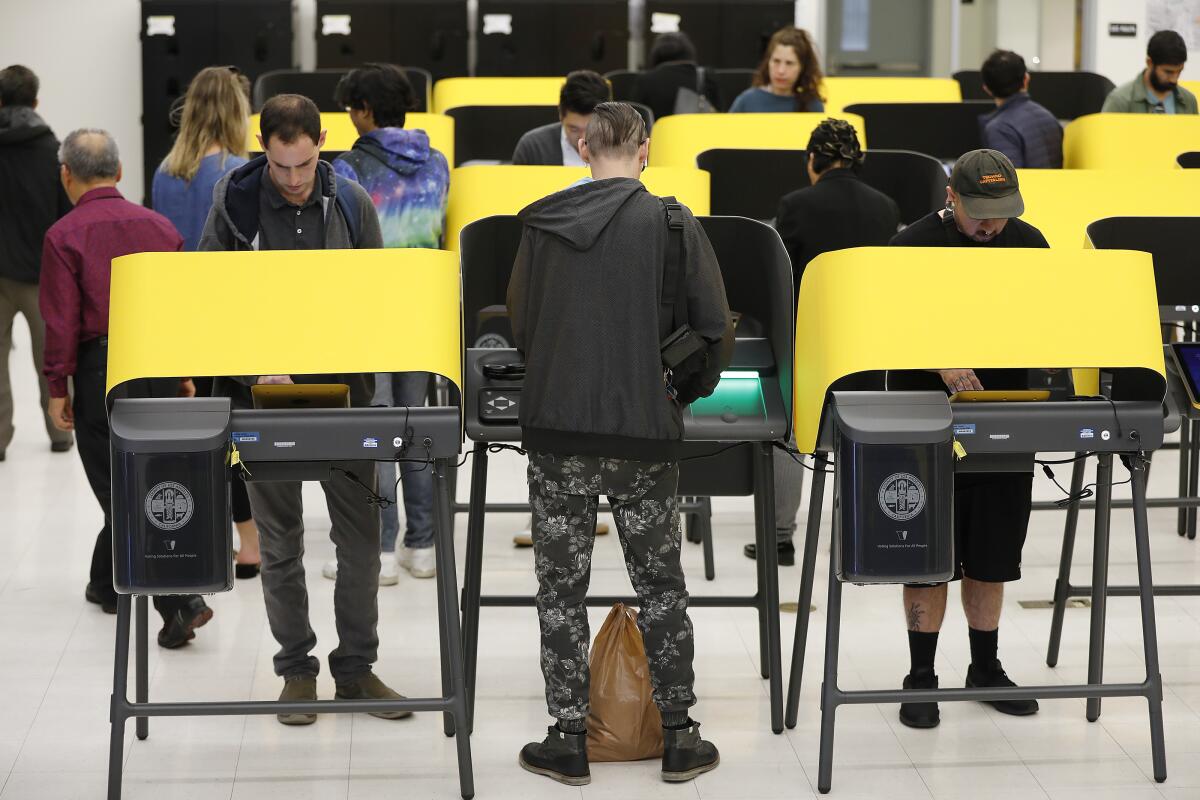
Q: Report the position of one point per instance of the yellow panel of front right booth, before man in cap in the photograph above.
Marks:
(941, 308)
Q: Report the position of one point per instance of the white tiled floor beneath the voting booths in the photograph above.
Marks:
(57, 654)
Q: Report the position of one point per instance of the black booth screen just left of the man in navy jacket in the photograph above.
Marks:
(941, 130)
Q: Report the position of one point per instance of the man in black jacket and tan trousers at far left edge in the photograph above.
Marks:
(32, 200)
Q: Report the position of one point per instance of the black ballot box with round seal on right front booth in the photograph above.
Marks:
(893, 488)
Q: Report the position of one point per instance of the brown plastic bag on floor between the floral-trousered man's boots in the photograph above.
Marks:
(625, 725)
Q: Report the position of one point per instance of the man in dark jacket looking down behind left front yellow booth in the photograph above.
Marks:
(290, 200)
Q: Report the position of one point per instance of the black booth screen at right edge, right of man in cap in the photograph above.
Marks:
(1171, 240)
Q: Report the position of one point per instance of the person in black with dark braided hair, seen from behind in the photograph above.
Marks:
(838, 210)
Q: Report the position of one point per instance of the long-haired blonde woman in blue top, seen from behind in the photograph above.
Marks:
(212, 142)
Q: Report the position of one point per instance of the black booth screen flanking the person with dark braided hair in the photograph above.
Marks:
(751, 183)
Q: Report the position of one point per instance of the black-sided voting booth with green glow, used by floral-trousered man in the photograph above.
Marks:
(728, 437)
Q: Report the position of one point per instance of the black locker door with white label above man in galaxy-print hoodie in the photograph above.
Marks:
(370, 25)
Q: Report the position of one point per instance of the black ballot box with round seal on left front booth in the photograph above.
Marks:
(171, 496)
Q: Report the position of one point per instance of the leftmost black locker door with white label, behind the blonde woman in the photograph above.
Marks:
(179, 39)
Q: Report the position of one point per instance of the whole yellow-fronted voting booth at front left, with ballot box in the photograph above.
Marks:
(173, 459)
